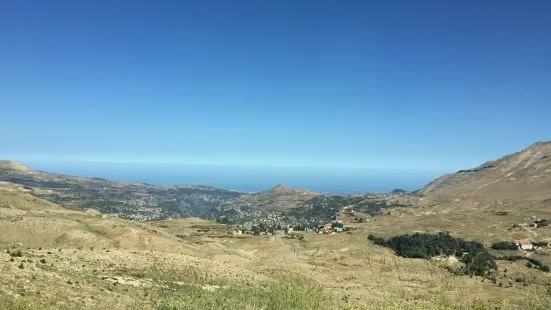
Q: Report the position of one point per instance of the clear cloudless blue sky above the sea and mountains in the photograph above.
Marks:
(423, 85)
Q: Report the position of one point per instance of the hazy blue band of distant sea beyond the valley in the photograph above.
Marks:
(248, 178)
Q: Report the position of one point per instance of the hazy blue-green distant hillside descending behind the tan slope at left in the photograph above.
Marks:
(135, 201)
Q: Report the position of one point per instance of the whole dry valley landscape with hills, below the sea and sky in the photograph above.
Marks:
(60, 249)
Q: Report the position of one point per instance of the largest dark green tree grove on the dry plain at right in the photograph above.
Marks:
(475, 256)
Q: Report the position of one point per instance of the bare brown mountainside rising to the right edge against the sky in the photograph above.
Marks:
(523, 175)
